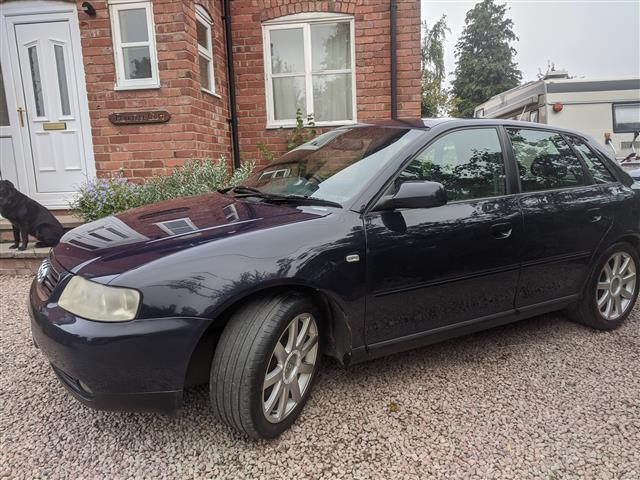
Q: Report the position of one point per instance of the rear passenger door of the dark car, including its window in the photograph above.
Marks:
(564, 218)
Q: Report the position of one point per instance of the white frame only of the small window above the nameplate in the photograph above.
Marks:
(116, 6)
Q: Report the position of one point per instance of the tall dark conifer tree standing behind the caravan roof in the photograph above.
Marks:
(485, 64)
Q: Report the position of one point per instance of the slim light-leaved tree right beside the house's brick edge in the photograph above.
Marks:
(434, 99)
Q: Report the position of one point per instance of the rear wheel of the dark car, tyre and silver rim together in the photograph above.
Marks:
(608, 298)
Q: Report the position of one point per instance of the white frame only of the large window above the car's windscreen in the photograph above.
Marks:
(304, 21)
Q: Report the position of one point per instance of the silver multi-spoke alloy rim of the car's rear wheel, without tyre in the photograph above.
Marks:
(616, 286)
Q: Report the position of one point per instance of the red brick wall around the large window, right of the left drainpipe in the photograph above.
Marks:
(373, 62)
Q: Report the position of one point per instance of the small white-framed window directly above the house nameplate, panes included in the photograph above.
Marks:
(134, 45)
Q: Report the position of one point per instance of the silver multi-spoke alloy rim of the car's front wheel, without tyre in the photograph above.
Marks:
(290, 368)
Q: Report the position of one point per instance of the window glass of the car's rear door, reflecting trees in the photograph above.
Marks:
(545, 161)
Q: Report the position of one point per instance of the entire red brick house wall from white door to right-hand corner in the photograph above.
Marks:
(198, 127)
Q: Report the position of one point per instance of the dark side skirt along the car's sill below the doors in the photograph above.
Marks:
(421, 339)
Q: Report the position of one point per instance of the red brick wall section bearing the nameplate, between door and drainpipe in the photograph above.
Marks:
(198, 127)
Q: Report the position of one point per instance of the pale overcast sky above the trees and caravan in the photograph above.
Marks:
(592, 39)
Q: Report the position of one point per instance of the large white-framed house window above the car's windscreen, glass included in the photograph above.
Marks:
(309, 63)
